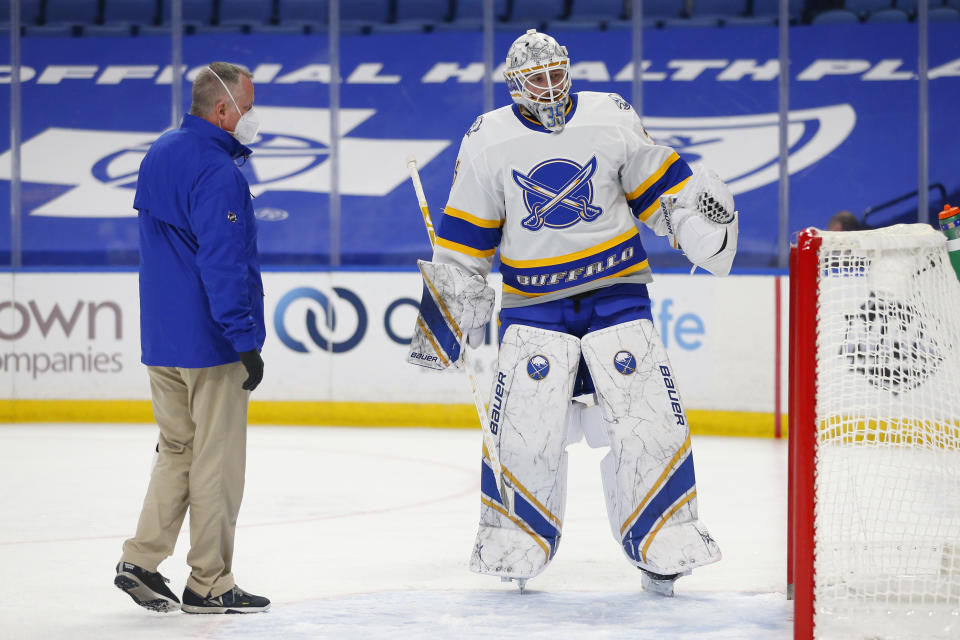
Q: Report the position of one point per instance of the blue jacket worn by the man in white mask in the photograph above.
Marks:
(201, 296)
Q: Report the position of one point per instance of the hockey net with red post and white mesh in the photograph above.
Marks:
(874, 435)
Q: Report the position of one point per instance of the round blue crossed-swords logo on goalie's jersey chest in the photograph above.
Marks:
(557, 193)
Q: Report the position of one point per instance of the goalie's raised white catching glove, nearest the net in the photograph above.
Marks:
(702, 221)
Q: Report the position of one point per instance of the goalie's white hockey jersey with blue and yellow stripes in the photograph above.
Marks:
(561, 207)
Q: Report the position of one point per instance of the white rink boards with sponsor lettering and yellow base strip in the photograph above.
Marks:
(336, 348)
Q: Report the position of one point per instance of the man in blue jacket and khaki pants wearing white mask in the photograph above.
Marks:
(201, 331)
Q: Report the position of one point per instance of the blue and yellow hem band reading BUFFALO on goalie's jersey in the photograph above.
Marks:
(620, 256)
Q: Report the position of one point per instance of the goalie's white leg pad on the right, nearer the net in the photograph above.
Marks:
(648, 475)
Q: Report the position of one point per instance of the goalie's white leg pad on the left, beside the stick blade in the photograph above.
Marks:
(528, 417)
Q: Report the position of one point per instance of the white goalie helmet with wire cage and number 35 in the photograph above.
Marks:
(538, 77)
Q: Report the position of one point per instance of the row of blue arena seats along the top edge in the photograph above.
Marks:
(150, 17)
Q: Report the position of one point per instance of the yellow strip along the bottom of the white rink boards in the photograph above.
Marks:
(358, 414)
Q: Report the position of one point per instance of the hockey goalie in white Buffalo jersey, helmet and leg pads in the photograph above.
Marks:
(559, 183)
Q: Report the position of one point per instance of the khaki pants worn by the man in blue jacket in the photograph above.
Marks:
(202, 415)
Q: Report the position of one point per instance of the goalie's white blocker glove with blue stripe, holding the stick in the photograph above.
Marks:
(455, 308)
